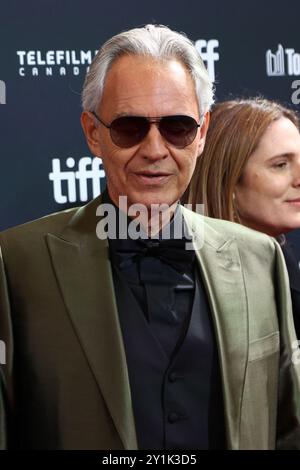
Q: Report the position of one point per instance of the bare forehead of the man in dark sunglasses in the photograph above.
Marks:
(143, 86)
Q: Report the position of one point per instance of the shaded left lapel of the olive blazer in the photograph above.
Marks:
(84, 275)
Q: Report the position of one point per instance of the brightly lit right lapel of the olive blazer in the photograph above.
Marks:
(221, 271)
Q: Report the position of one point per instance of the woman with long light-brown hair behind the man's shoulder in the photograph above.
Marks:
(249, 173)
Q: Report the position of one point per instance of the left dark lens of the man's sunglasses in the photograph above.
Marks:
(128, 131)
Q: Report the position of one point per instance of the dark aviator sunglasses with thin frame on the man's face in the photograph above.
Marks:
(127, 131)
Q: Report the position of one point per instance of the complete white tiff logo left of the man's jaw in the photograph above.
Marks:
(89, 170)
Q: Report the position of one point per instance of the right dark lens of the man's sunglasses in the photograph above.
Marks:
(180, 131)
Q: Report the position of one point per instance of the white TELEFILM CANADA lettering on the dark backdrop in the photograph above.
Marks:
(54, 62)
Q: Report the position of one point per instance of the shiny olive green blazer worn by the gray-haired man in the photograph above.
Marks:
(65, 382)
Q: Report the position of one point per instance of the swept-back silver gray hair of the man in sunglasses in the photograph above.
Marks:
(156, 41)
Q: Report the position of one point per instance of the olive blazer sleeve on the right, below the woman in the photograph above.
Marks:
(288, 416)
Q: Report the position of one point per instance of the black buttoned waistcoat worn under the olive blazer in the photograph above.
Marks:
(177, 402)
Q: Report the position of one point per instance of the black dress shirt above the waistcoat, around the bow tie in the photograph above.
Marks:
(164, 294)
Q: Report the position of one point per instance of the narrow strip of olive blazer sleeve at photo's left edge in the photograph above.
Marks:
(6, 398)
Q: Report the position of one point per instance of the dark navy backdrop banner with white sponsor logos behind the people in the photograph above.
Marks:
(46, 47)
